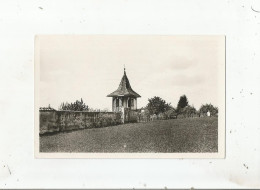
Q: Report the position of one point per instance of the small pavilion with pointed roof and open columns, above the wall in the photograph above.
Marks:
(124, 96)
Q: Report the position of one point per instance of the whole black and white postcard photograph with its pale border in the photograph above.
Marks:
(131, 94)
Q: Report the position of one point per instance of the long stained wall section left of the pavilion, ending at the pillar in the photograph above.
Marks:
(55, 121)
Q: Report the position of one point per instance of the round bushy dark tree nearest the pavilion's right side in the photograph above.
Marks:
(157, 105)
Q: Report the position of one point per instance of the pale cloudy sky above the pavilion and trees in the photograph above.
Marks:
(91, 66)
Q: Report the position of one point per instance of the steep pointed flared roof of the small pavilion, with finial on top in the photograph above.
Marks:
(124, 88)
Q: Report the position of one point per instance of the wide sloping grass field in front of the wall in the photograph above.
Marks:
(176, 135)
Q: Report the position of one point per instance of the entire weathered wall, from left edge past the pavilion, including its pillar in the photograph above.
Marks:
(56, 121)
